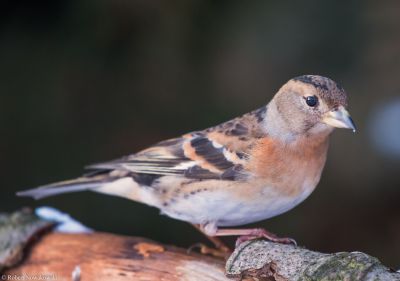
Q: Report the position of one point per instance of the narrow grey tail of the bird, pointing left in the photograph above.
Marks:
(68, 186)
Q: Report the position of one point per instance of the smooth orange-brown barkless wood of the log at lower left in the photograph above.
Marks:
(102, 256)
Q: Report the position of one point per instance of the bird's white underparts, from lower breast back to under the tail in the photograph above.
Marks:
(214, 205)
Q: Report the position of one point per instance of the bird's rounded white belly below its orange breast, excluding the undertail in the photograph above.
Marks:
(223, 209)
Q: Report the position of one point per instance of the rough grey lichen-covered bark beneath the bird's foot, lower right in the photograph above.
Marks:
(264, 260)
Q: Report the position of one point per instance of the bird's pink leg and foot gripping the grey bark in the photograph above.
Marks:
(253, 233)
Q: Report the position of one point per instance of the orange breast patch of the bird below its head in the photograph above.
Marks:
(289, 167)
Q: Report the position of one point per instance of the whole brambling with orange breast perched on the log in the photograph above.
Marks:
(251, 168)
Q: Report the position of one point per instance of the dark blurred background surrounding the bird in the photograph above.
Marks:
(88, 81)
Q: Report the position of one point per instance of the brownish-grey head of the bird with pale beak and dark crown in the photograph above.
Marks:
(311, 104)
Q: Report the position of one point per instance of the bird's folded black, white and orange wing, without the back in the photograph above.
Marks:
(192, 156)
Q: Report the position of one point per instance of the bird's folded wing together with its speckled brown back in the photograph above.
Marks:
(216, 153)
